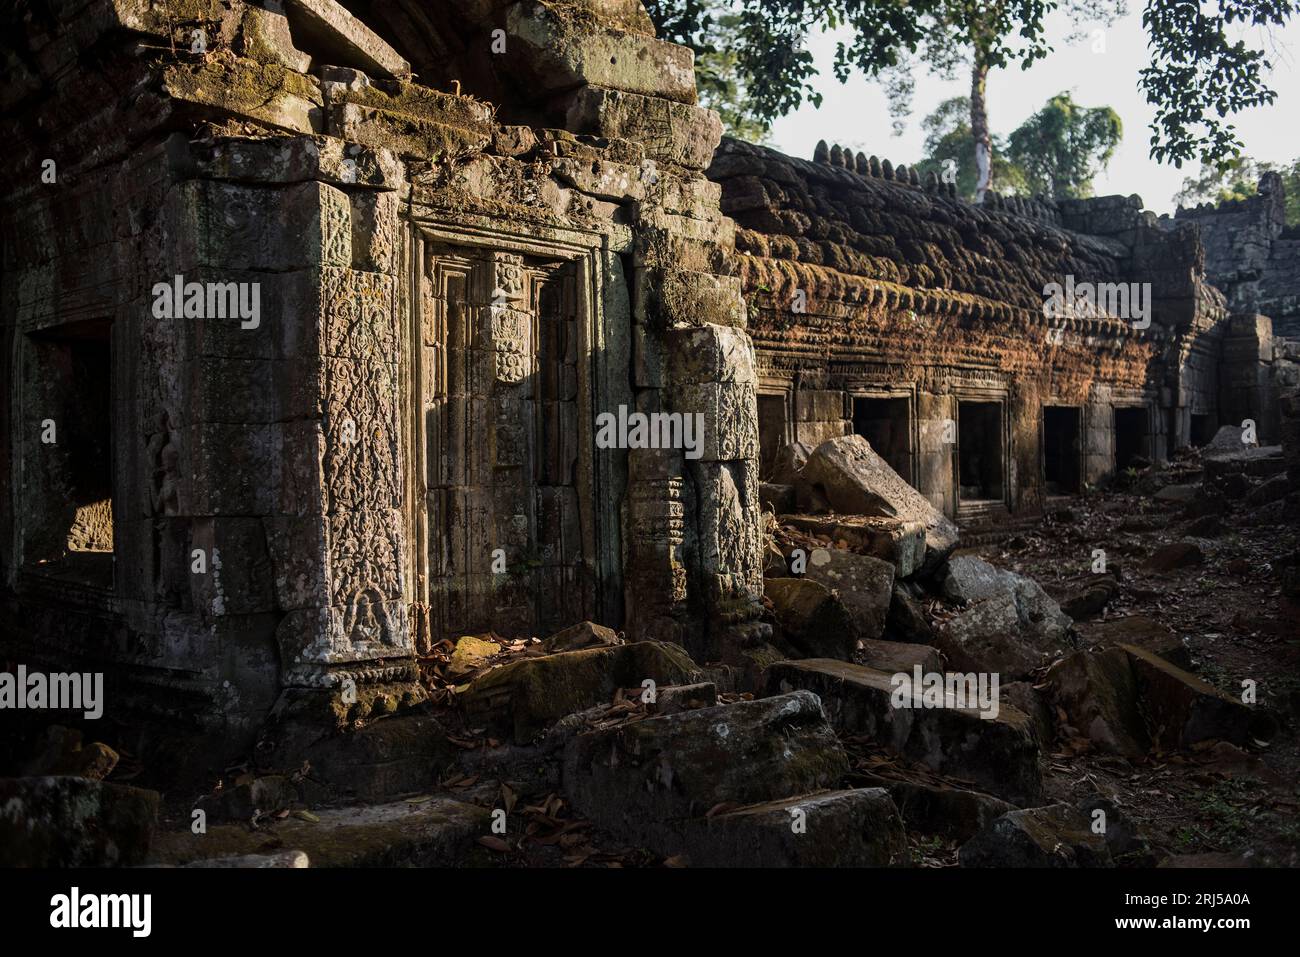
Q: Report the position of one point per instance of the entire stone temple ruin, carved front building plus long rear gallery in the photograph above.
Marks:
(310, 309)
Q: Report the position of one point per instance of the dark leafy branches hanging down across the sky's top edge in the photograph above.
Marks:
(1203, 66)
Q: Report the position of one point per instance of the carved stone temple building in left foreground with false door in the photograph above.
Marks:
(463, 257)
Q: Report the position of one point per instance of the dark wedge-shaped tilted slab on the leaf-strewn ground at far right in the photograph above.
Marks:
(1184, 711)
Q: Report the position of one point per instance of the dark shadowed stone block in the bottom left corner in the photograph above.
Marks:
(75, 822)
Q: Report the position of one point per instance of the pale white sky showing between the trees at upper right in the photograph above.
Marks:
(856, 114)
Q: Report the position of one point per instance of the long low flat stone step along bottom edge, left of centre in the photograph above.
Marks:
(427, 832)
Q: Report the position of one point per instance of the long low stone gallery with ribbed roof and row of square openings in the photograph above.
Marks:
(866, 284)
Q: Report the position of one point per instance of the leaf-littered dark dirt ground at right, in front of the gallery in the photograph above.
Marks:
(1237, 804)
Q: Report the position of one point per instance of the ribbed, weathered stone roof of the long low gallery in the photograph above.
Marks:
(848, 235)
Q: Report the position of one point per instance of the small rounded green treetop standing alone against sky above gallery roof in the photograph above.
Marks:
(1064, 146)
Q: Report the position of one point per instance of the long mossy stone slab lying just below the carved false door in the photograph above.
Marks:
(528, 695)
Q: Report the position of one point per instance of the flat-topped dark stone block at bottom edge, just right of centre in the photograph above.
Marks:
(840, 829)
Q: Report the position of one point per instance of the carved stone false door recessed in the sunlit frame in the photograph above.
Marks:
(501, 367)
